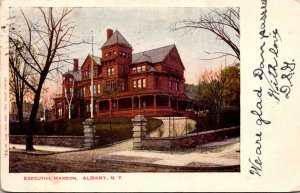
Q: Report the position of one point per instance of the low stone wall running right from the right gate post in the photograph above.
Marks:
(190, 140)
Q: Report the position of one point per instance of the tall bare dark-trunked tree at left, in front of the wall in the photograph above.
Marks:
(47, 36)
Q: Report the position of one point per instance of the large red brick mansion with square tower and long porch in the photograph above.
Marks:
(125, 84)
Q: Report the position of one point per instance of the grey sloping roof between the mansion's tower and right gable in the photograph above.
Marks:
(152, 56)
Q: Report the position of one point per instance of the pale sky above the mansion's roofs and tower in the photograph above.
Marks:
(145, 29)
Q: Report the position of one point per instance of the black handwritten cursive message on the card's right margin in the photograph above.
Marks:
(275, 80)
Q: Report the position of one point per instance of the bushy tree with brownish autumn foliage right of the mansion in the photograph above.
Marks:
(219, 90)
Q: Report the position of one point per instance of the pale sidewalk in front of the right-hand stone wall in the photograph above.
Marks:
(223, 153)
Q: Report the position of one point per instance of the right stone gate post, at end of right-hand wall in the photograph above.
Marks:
(139, 131)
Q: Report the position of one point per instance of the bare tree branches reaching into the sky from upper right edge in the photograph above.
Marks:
(223, 23)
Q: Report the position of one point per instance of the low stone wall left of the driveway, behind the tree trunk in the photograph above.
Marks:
(67, 141)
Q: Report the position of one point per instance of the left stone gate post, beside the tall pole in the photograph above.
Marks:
(89, 133)
